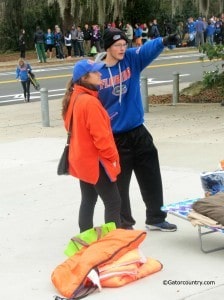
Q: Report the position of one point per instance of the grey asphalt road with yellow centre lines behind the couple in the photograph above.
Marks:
(54, 78)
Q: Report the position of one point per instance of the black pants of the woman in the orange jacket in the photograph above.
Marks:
(108, 191)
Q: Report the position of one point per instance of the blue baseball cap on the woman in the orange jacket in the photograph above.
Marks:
(85, 66)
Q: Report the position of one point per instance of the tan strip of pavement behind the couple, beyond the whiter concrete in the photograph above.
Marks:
(179, 130)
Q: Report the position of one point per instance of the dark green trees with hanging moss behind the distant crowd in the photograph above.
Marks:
(28, 14)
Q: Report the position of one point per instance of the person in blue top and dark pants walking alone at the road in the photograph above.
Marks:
(22, 74)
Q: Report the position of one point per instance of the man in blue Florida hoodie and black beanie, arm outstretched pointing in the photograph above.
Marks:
(120, 95)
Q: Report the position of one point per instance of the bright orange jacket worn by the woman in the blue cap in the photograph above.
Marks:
(91, 140)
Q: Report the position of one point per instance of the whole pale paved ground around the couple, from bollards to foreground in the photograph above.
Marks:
(38, 209)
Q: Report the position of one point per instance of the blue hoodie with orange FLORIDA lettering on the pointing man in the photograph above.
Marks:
(120, 90)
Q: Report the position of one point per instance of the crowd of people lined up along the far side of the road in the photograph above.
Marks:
(80, 41)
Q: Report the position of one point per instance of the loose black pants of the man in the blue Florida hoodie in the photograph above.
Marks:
(139, 154)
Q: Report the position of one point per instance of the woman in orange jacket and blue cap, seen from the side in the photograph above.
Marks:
(93, 156)
